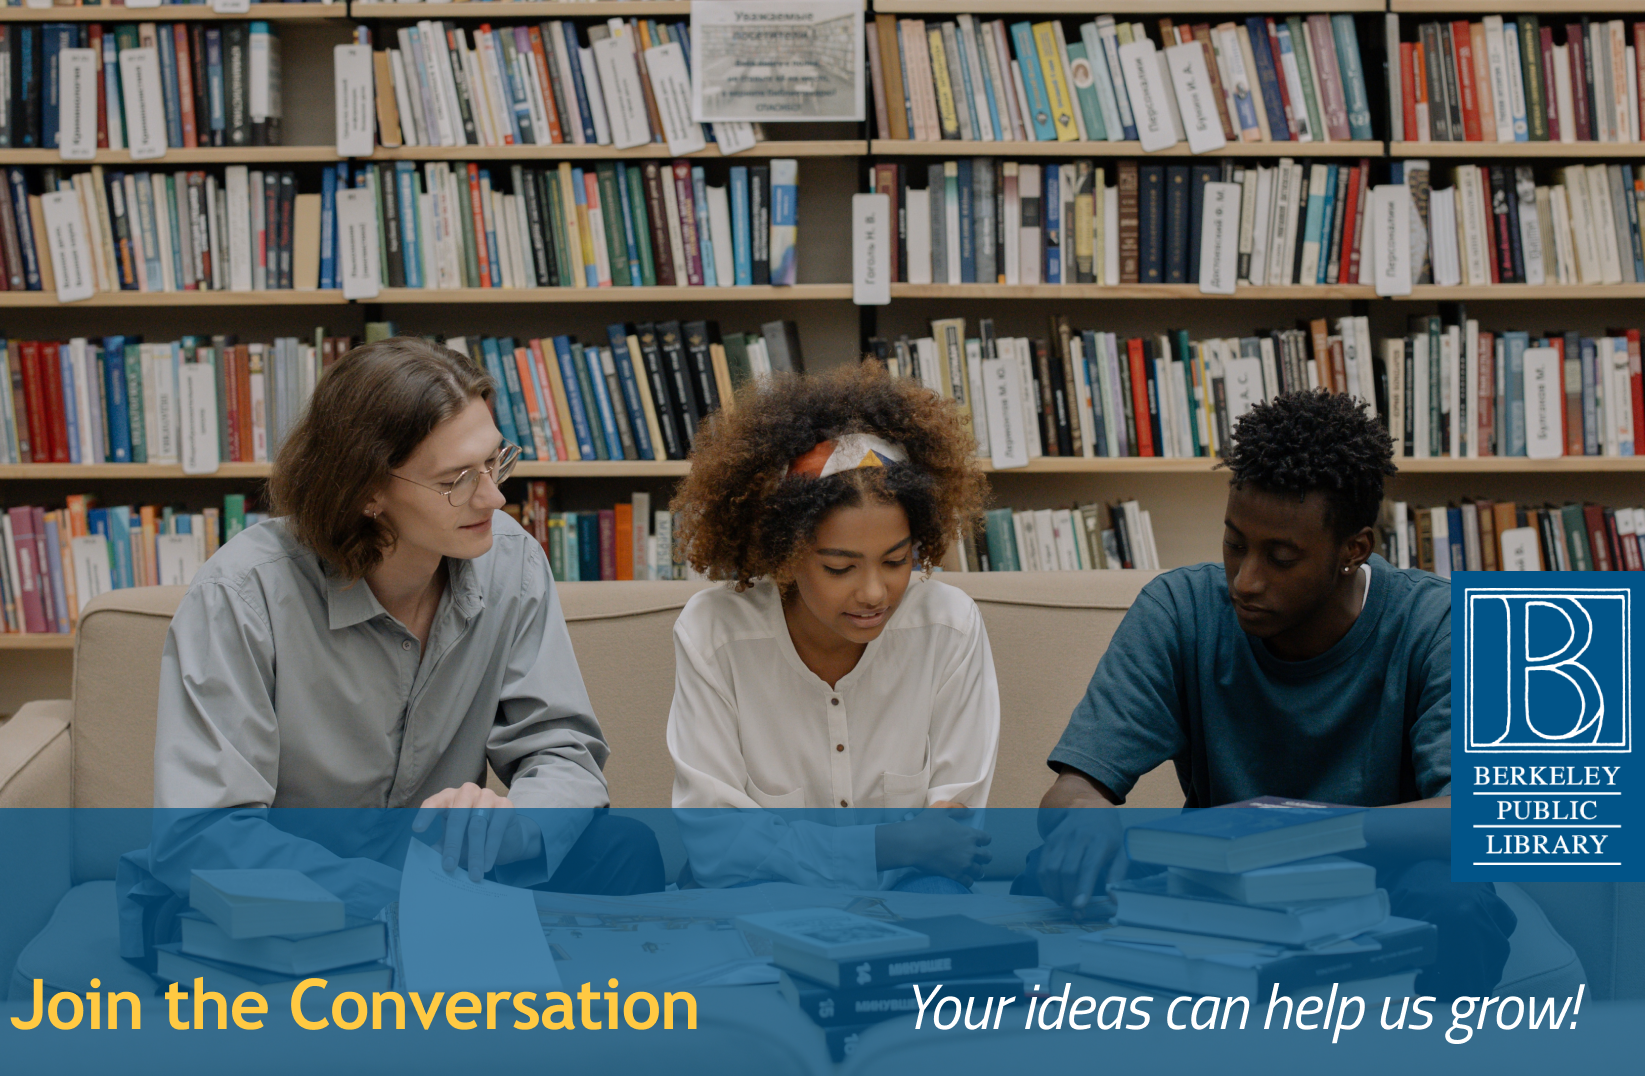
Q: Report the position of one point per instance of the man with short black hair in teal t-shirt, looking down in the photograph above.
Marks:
(1309, 669)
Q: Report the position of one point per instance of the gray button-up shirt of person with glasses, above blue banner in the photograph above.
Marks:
(287, 687)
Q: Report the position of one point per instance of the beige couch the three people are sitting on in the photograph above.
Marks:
(1047, 631)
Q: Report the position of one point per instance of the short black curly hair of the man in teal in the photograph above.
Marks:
(1307, 442)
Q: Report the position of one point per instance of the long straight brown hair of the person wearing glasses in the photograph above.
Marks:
(368, 415)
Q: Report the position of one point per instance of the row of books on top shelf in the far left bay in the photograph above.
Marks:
(218, 85)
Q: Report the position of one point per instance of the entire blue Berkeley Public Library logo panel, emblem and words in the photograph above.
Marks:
(1544, 781)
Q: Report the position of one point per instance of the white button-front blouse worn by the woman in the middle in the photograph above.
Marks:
(915, 721)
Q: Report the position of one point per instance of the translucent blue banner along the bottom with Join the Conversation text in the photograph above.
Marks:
(792, 942)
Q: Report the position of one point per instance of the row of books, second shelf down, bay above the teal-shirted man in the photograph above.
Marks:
(1128, 223)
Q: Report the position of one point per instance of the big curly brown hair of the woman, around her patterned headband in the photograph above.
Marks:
(743, 517)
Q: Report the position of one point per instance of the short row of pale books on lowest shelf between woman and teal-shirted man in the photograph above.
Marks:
(1080, 539)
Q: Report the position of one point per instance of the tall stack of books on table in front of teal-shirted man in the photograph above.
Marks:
(1256, 902)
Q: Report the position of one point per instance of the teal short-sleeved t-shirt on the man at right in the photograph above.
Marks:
(1366, 723)
